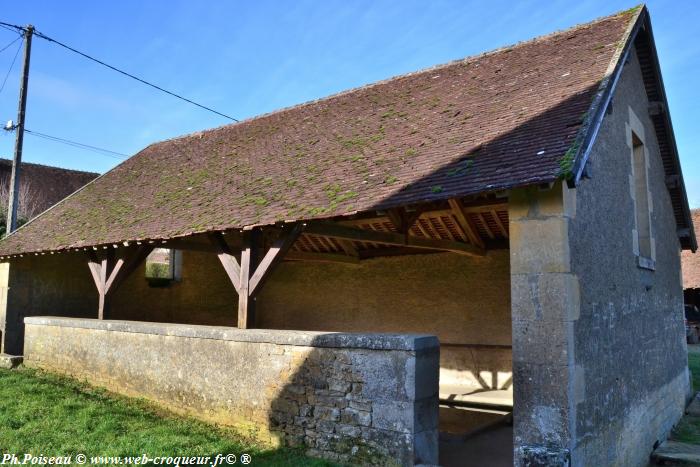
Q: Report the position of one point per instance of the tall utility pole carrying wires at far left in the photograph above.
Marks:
(19, 136)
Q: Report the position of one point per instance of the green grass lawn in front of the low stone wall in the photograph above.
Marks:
(49, 415)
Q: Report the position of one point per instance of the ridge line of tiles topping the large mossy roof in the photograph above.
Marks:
(403, 75)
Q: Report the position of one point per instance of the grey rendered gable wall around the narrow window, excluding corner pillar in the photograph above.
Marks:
(630, 339)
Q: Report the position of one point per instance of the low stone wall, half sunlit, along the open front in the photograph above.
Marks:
(358, 398)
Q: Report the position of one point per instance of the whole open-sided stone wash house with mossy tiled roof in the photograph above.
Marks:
(356, 274)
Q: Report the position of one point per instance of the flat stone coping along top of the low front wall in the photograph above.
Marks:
(372, 341)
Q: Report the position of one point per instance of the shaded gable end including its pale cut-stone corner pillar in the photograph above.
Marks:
(600, 362)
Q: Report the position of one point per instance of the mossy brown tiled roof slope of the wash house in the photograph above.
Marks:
(495, 121)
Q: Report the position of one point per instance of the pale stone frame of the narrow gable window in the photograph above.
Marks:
(636, 141)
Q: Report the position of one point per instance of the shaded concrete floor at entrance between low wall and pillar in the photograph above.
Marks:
(492, 447)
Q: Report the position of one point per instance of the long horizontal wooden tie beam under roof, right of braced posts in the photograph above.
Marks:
(332, 230)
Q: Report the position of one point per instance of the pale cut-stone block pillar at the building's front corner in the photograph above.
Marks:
(545, 306)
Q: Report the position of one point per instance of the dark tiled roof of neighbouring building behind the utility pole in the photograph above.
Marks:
(48, 184)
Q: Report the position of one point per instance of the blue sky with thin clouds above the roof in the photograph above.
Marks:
(248, 58)
